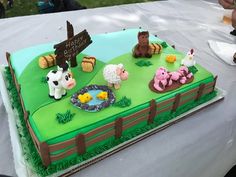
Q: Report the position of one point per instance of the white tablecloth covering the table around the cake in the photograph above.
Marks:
(201, 146)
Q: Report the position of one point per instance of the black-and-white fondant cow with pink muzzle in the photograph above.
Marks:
(59, 81)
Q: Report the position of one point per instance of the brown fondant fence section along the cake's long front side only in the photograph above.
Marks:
(115, 129)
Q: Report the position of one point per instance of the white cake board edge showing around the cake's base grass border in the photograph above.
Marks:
(23, 169)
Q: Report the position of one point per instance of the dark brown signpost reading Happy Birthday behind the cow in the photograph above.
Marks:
(68, 49)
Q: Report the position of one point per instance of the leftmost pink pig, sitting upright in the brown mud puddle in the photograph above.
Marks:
(162, 79)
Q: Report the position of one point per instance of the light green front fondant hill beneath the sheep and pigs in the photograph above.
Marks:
(136, 88)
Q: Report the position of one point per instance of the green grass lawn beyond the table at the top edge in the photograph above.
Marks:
(29, 7)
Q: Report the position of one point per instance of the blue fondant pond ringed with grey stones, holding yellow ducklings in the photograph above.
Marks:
(93, 104)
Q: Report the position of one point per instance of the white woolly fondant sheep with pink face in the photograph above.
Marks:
(114, 74)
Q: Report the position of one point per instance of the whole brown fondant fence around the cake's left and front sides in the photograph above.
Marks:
(116, 128)
